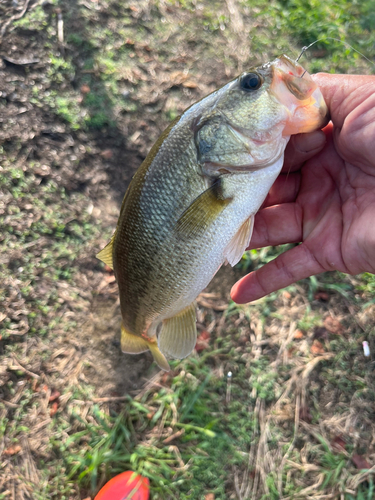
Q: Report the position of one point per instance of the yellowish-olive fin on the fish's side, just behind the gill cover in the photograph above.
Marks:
(202, 211)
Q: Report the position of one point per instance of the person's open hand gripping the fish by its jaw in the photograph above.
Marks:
(327, 202)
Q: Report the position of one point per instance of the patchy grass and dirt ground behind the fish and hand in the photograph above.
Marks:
(268, 431)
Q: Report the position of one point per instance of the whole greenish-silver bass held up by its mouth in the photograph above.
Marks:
(190, 206)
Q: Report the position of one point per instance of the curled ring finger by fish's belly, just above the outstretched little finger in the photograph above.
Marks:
(277, 225)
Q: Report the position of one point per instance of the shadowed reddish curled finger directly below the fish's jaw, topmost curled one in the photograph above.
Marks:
(301, 148)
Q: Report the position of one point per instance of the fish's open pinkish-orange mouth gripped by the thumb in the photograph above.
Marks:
(293, 86)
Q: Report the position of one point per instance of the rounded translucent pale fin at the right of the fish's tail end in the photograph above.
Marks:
(178, 335)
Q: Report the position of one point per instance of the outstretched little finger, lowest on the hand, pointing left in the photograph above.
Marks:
(289, 267)
